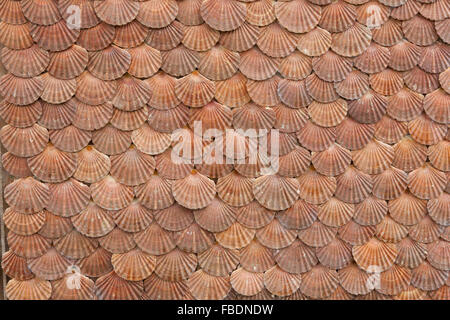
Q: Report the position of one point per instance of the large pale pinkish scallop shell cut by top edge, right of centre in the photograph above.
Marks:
(298, 16)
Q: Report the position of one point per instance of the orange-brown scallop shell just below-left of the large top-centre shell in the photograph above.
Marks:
(200, 38)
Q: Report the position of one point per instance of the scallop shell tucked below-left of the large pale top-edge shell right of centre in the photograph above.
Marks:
(276, 42)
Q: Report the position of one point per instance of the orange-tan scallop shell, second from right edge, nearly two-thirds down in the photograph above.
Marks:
(407, 209)
